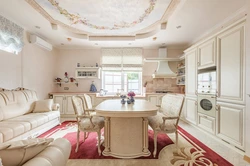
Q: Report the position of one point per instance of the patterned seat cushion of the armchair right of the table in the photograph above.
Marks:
(156, 121)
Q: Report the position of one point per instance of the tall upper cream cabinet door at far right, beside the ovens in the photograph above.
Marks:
(231, 66)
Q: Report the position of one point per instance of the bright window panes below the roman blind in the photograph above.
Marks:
(114, 81)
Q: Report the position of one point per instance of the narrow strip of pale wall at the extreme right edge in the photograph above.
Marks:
(247, 126)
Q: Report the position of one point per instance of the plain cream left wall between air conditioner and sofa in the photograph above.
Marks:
(33, 68)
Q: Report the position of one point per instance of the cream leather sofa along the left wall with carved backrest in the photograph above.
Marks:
(20, 117)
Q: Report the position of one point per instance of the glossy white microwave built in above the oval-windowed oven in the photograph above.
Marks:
(207, 82)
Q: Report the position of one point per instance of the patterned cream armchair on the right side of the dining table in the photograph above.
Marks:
(167, 118)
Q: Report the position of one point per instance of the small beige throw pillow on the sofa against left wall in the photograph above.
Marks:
(43, 105)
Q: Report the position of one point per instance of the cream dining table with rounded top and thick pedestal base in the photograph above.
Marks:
(126, 127)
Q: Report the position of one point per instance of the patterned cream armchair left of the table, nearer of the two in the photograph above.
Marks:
(86, 122)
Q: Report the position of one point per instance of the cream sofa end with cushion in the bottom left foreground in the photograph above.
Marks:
(36, 151)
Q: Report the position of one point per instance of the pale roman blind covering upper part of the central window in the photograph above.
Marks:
(122, 59)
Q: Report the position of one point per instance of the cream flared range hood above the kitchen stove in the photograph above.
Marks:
(163, 70)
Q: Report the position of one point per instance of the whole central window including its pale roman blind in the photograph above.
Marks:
(122, 70)
